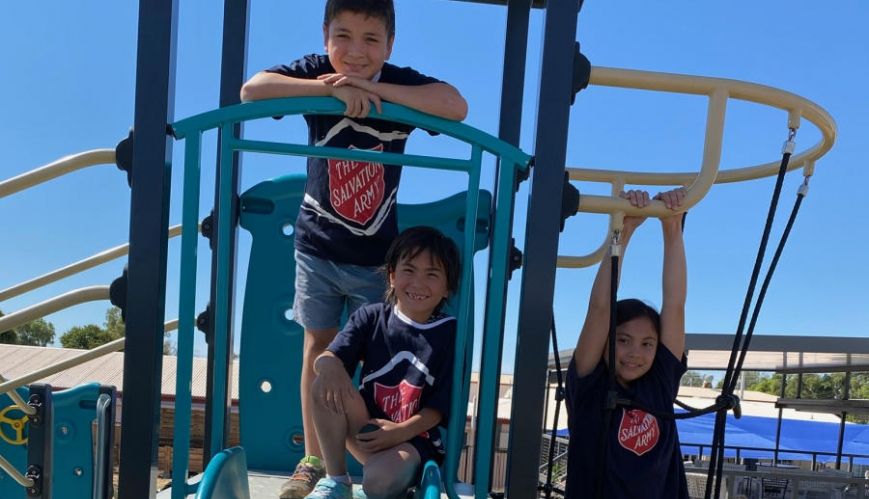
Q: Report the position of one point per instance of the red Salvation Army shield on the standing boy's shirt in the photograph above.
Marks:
(356, 188)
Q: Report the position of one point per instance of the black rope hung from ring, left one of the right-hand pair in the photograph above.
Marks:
(740, 347)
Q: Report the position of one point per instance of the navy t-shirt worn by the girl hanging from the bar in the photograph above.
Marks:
(644, 459)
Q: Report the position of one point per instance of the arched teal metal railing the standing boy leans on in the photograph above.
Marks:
(223, 120)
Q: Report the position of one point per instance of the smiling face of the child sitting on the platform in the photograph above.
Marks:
(419, 283)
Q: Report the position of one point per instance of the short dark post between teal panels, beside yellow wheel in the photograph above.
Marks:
(40, 442)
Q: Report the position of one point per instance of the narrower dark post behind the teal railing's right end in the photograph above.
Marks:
(512, 92)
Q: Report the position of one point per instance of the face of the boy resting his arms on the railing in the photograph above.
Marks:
(357, 44)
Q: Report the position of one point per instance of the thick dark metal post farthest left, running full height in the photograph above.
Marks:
(149, 224)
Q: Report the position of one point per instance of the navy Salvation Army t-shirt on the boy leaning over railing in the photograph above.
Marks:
(348, 214)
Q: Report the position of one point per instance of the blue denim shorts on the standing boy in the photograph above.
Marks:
(324, 288)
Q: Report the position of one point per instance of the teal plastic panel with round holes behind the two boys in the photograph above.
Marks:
(271, 342)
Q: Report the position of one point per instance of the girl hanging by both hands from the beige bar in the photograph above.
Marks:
(642, 457)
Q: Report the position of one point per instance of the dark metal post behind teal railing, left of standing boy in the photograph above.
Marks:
(232, 74)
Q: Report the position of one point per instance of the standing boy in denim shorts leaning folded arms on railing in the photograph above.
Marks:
(348, 217)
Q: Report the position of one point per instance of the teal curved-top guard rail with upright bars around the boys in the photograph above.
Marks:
(191, 129)
